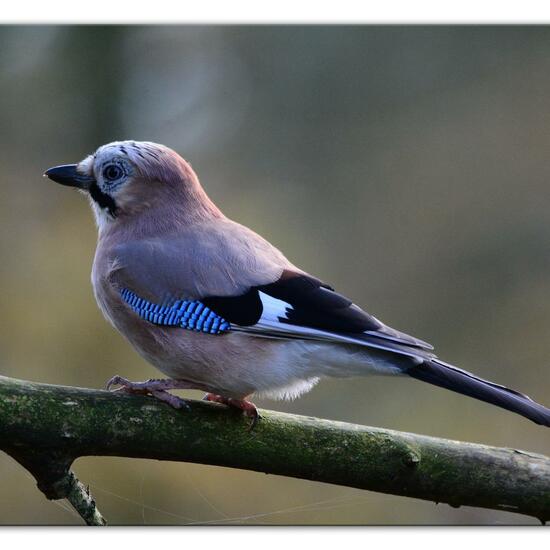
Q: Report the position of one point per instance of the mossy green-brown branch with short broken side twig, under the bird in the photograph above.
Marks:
(46, 428)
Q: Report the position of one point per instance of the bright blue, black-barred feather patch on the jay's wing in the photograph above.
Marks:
(188, 314)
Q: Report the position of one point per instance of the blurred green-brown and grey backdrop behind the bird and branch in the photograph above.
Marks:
(407, 166)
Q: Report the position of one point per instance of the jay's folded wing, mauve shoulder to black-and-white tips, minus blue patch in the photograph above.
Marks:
(251, 285)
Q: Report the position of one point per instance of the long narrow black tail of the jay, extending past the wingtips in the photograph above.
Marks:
(441, 374)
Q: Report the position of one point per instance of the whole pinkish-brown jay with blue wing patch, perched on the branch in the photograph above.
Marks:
(216, 307)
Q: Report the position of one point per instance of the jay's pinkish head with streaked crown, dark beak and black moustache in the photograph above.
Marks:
(127, 178)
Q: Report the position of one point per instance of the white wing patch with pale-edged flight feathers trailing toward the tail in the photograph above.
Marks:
(272, 325)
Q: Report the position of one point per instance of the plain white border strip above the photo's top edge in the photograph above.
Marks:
(282, 11)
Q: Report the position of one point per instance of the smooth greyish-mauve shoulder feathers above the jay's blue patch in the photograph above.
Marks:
(222, 259)
